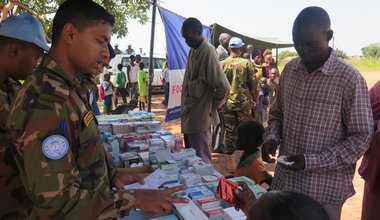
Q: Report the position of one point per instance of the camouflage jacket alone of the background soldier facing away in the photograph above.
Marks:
(244, 87)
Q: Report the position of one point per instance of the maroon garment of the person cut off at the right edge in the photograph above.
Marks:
(370, 167)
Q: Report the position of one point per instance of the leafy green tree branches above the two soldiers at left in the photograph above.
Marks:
(123, 10)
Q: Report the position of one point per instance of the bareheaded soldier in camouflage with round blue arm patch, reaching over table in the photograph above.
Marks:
(58, 151)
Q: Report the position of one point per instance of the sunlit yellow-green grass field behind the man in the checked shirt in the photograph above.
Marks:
(362, 64)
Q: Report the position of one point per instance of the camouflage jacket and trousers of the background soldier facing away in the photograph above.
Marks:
(243, 94)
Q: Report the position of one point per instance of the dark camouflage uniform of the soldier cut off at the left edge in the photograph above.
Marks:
(13, 200)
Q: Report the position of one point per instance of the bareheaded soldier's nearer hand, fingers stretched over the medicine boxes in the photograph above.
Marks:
(159, 202)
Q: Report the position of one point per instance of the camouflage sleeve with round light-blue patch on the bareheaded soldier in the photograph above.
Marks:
(58, 182)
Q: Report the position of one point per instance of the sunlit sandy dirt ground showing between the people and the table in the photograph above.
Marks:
(351, 209)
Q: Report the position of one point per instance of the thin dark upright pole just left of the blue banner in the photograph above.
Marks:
(154, 6)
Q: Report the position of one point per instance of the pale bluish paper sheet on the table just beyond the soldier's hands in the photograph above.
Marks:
(153, 181)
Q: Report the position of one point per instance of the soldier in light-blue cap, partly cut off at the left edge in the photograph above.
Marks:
(22, 42)
